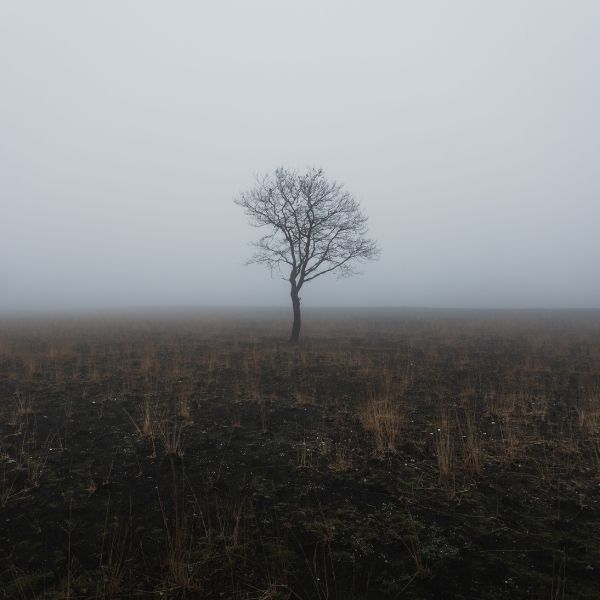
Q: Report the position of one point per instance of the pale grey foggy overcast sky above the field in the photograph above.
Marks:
(469, 132)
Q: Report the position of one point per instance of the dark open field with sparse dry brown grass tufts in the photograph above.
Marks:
(392, 454)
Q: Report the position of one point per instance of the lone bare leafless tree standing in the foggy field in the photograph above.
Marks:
(315, 227)
